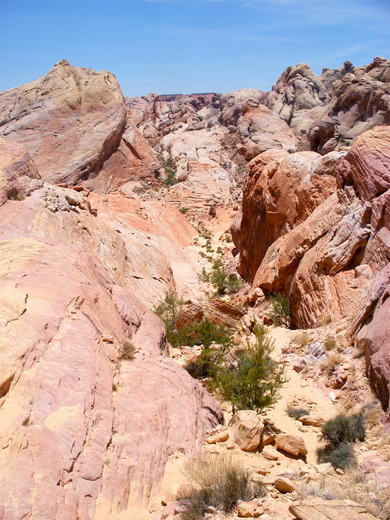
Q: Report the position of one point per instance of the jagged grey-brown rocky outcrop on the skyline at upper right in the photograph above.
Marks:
(335, 107)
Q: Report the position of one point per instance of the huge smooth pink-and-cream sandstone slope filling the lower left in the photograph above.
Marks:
(84, 431)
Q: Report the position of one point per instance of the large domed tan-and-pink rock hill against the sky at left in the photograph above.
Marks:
(72, 122)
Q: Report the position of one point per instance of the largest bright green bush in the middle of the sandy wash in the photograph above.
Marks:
(253, 381)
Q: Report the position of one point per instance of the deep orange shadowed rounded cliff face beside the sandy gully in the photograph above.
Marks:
(281, 191)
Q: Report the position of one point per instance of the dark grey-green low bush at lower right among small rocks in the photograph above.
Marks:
(339, 433)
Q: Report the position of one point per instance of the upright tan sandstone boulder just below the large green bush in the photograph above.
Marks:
(247, 428)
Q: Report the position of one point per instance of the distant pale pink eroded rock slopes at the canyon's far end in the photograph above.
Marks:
(199, 135)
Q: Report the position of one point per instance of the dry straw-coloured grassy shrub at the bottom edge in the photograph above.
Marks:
(219, 482)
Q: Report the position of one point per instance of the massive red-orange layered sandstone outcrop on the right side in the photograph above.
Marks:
(325, 257)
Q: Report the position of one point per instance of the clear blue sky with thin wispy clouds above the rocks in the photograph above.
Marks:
(184, 46)
